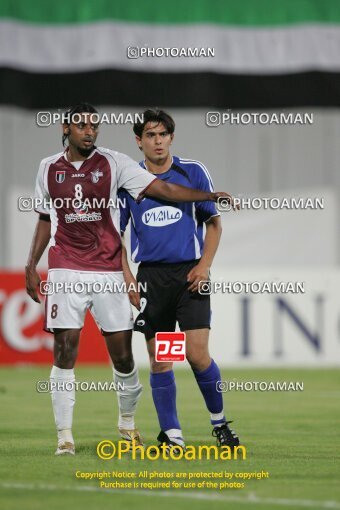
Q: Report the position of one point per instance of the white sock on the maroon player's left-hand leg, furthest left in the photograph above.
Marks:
(63, 400)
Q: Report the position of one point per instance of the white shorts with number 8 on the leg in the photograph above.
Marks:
(75, 292)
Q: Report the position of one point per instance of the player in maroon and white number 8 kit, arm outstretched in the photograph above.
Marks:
(85, 246)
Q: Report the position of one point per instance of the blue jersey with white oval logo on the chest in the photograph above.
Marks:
(164, 231)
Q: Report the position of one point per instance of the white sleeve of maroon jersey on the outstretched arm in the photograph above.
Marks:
(132, 177)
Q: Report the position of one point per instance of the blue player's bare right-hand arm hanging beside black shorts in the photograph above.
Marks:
(211, 241)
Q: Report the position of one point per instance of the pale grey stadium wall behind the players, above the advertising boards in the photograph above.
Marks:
(252, 160)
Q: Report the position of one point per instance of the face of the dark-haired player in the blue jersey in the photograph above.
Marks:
(155, 141)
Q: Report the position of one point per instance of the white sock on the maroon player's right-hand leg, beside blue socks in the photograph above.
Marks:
(127, 397)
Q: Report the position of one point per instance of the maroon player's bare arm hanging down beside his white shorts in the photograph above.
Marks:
(40, 240)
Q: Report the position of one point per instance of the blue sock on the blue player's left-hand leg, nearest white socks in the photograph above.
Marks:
(164, 396)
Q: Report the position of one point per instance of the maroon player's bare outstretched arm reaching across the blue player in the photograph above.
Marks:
(178, 193)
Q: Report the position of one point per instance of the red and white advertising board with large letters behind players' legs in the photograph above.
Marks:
(248, 329)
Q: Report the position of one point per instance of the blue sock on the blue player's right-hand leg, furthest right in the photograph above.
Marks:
(207, 382)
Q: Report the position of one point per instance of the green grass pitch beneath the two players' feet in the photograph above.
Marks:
(293, 435)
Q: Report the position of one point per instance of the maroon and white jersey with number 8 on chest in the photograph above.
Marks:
(82, 203)
